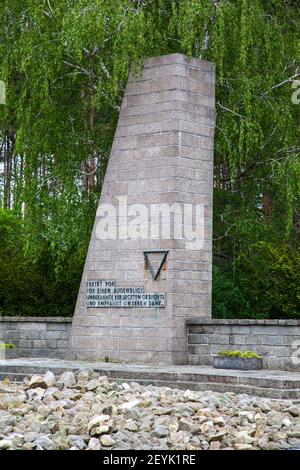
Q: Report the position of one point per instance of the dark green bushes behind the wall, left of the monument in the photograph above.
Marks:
(36, 285)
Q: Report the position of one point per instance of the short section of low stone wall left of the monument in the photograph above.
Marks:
(36, 336)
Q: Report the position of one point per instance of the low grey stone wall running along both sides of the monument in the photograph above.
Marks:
(278, 341)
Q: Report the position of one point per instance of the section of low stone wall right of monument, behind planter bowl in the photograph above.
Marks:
(278, 341)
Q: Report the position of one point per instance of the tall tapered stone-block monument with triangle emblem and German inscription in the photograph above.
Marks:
(149, 261)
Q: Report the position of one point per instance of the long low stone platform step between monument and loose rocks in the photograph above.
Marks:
(265, 383)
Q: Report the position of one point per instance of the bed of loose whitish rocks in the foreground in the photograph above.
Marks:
(87, 411)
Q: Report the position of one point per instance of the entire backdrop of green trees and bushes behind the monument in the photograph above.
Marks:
(65, 64)
